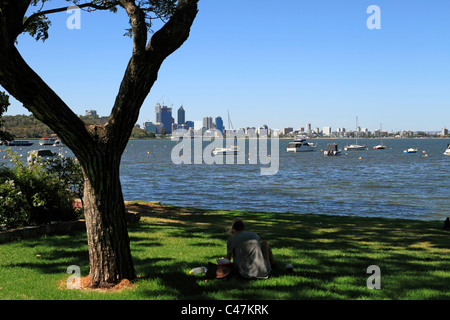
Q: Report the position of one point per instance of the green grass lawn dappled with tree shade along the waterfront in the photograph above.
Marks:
(330, 255)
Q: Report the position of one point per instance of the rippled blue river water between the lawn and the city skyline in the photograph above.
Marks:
(370, 183)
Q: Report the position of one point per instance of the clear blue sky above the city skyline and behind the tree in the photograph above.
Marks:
(281, 63)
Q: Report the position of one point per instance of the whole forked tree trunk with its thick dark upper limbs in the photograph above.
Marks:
(99, 148)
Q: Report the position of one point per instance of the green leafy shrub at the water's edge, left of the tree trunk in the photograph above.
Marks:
(38, 193)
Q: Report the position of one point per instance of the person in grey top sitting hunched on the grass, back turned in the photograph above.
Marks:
(252, 258)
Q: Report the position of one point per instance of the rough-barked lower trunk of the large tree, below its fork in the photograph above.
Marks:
(106, 226)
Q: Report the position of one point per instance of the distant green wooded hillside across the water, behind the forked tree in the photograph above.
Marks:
(28, 127)
